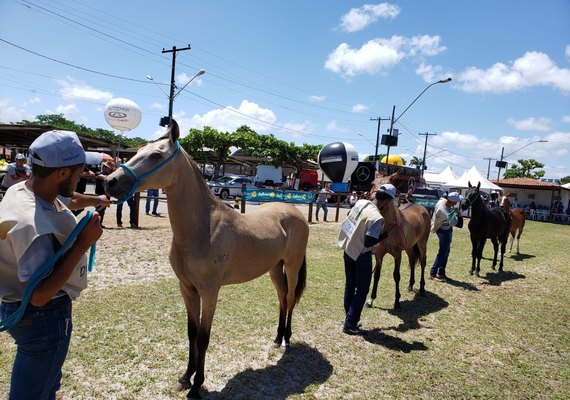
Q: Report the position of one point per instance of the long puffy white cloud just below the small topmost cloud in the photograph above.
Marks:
(380, 54)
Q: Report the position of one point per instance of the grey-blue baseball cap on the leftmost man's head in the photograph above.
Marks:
(57, 149)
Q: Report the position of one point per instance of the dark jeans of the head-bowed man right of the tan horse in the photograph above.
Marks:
(358, 276)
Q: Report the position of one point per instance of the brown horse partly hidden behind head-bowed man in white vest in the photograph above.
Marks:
(412, 224)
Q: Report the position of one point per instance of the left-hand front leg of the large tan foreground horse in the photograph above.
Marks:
(192, 303)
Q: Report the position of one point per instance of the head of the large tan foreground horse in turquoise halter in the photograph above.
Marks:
(148, 169)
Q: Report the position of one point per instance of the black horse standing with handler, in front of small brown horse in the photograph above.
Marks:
(485, 224)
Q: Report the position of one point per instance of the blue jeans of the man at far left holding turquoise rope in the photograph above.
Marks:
(42, 337)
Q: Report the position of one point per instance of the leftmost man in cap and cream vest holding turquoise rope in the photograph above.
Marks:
(42, 223)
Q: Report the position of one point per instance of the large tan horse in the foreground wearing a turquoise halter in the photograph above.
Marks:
(213, 245)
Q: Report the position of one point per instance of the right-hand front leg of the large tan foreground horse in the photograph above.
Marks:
(209, 299)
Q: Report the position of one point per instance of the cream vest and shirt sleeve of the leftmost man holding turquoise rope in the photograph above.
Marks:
(19, 205)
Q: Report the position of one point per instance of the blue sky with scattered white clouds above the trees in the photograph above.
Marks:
(307, 71)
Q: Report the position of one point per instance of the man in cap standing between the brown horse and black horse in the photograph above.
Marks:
(444, 218)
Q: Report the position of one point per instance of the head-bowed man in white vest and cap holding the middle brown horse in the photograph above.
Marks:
(362, 229)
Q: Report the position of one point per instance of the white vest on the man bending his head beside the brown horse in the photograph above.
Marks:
(353, 231)
